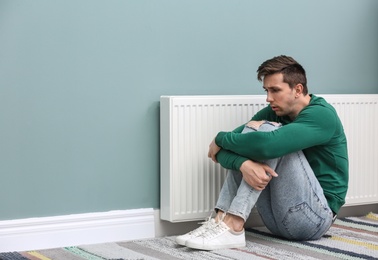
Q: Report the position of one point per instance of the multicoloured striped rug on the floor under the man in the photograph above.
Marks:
(348, 238)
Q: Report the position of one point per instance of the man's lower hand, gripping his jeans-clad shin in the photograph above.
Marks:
(257, 175)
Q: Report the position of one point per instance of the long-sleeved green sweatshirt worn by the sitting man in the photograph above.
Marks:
(317, 131)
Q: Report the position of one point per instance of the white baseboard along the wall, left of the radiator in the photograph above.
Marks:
(78, 229)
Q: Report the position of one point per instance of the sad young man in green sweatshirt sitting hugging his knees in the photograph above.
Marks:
(294, 172)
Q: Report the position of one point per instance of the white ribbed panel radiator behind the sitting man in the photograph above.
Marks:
(190, 182)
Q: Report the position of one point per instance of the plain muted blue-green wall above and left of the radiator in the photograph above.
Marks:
(80, 83)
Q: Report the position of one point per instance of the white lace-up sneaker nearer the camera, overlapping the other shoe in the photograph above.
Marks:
(218, 237)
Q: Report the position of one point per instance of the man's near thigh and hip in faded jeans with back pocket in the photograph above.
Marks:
(293, 205)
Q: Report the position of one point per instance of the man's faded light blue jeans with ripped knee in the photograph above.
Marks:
(292, 205)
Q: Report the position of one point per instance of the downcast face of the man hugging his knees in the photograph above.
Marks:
(280, 96)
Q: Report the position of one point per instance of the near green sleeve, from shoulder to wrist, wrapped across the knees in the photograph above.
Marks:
(314, 126)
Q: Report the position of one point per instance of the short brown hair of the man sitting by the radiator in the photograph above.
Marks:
(293, 73)
